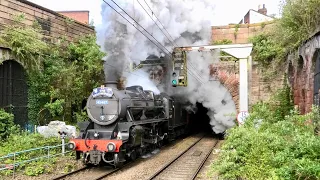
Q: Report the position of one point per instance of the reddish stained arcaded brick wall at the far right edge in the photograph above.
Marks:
(301, 73)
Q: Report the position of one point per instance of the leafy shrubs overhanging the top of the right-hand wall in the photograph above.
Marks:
(300, 19)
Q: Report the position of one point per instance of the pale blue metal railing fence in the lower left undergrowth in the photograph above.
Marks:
(18, 158)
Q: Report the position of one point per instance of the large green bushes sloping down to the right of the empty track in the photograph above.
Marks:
(275, 143)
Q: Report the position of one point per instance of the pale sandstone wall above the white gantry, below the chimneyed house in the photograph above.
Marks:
(240, 34)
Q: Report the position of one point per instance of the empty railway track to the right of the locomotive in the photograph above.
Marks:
(187, 164)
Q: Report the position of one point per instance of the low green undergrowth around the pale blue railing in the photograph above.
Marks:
(22, 141)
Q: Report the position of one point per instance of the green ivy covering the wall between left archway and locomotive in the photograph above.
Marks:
(60, 75)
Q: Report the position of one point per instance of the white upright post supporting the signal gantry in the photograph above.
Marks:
(243, 87)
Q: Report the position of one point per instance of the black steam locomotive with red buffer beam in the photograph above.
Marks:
(125, 124)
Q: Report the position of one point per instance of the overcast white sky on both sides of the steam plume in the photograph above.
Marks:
(226, 11)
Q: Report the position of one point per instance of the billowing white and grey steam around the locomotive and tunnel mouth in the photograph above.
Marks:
(189, 23)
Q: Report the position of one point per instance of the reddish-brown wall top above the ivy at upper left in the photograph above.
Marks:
(52, 22)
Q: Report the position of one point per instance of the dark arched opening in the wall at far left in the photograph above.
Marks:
(14, 91)
